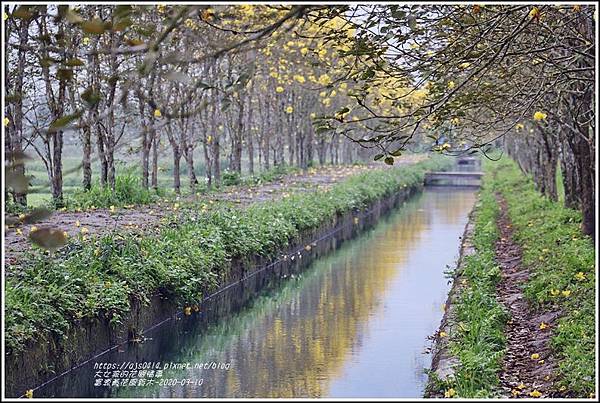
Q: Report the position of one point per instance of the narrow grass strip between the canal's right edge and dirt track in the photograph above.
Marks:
(477, 339)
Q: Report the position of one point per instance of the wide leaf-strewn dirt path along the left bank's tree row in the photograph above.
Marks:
(101, 221)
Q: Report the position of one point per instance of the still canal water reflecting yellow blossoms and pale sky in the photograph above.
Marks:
(353, 324)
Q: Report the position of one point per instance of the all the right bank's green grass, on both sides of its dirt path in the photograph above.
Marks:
(562, 277)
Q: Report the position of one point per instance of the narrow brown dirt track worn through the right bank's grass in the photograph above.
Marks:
(528, 364)
